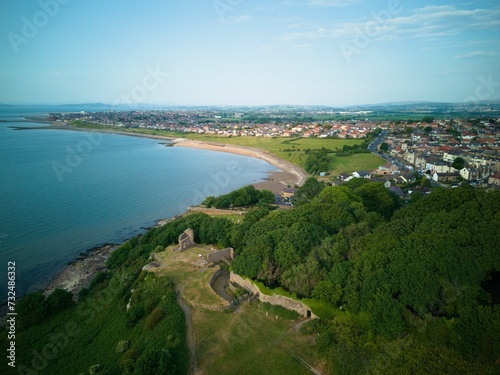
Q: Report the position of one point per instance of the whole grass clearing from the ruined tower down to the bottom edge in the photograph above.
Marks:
(246, 341)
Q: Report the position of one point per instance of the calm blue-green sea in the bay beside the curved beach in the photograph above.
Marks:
(64, 192)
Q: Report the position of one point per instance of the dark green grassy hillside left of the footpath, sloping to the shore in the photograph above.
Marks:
(100, 330)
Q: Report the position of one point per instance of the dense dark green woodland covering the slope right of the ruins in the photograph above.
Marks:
(413, 290)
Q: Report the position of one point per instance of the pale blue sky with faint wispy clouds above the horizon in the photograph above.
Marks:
(248, 52)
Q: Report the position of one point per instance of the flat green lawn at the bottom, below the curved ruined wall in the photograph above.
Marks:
(250, 342)
